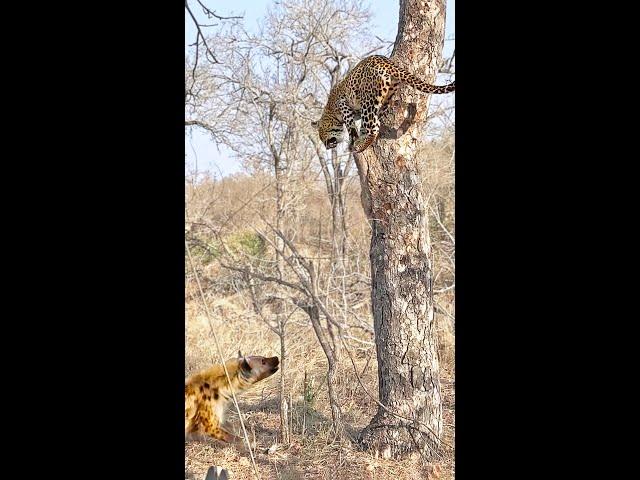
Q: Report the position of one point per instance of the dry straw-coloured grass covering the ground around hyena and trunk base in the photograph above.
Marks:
(312, 454)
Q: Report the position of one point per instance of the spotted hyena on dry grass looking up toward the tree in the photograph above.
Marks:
(207, 393)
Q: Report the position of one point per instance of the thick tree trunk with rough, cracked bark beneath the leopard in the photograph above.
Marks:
(400, 254)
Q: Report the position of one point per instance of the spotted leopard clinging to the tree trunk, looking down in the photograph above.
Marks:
(365, 93)
